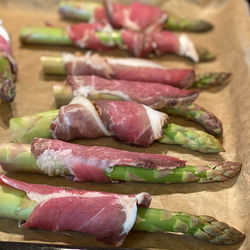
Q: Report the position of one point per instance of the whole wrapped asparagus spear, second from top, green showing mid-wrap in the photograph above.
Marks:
(96, 36)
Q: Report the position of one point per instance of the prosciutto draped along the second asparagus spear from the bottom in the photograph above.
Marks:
(88, 163)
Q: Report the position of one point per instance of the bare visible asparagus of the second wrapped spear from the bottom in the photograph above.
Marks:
(19, 158)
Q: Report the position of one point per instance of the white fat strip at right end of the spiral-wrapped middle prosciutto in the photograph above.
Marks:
(157, 121)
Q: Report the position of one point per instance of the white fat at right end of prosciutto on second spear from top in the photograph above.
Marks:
(187, 48)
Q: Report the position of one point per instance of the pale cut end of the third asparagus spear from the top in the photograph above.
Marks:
(53, 65)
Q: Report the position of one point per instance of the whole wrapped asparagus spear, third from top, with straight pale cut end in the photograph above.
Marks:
(130, 69)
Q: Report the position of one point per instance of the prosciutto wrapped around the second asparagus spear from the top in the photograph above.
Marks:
(140, 44)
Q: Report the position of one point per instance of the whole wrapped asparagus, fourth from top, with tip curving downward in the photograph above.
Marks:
(158, 96)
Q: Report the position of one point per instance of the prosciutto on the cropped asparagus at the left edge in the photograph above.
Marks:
(5, 49)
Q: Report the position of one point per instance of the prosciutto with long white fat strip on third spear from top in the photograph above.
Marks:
(127, 69)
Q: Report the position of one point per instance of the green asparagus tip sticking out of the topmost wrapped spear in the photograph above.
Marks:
(183, 24)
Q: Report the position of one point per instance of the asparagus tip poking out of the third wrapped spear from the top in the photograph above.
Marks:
(212, 79)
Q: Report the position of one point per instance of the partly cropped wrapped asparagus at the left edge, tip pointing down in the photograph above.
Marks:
(8, 68)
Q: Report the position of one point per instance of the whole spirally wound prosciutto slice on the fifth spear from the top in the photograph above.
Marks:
(126, 121)
